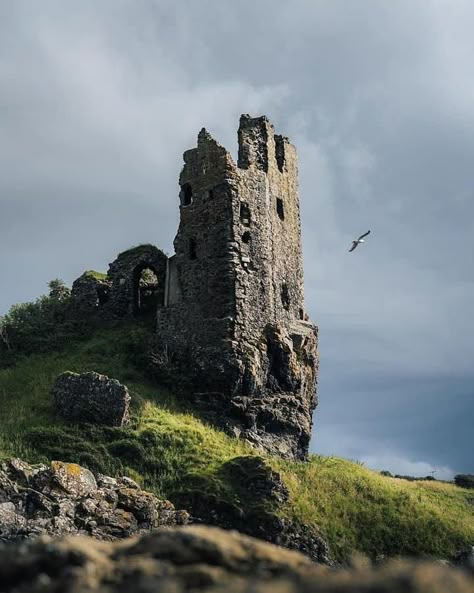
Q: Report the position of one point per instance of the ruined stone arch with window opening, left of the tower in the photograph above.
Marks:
(126, 296)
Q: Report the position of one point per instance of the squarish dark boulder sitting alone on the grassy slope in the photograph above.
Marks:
(90, 397)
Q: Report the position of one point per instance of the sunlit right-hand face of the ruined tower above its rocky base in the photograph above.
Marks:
(267, 227)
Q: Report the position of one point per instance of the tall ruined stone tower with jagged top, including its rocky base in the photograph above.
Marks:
(233, 322)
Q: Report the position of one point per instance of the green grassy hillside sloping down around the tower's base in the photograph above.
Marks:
(166, 447)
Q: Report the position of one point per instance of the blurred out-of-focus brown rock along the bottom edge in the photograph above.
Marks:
(176, 560)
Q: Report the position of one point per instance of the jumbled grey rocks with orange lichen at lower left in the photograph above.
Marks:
(65, 498)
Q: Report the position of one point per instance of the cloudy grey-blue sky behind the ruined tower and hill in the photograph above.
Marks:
(99, 99)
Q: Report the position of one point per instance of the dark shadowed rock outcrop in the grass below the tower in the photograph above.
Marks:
(259, 492)
